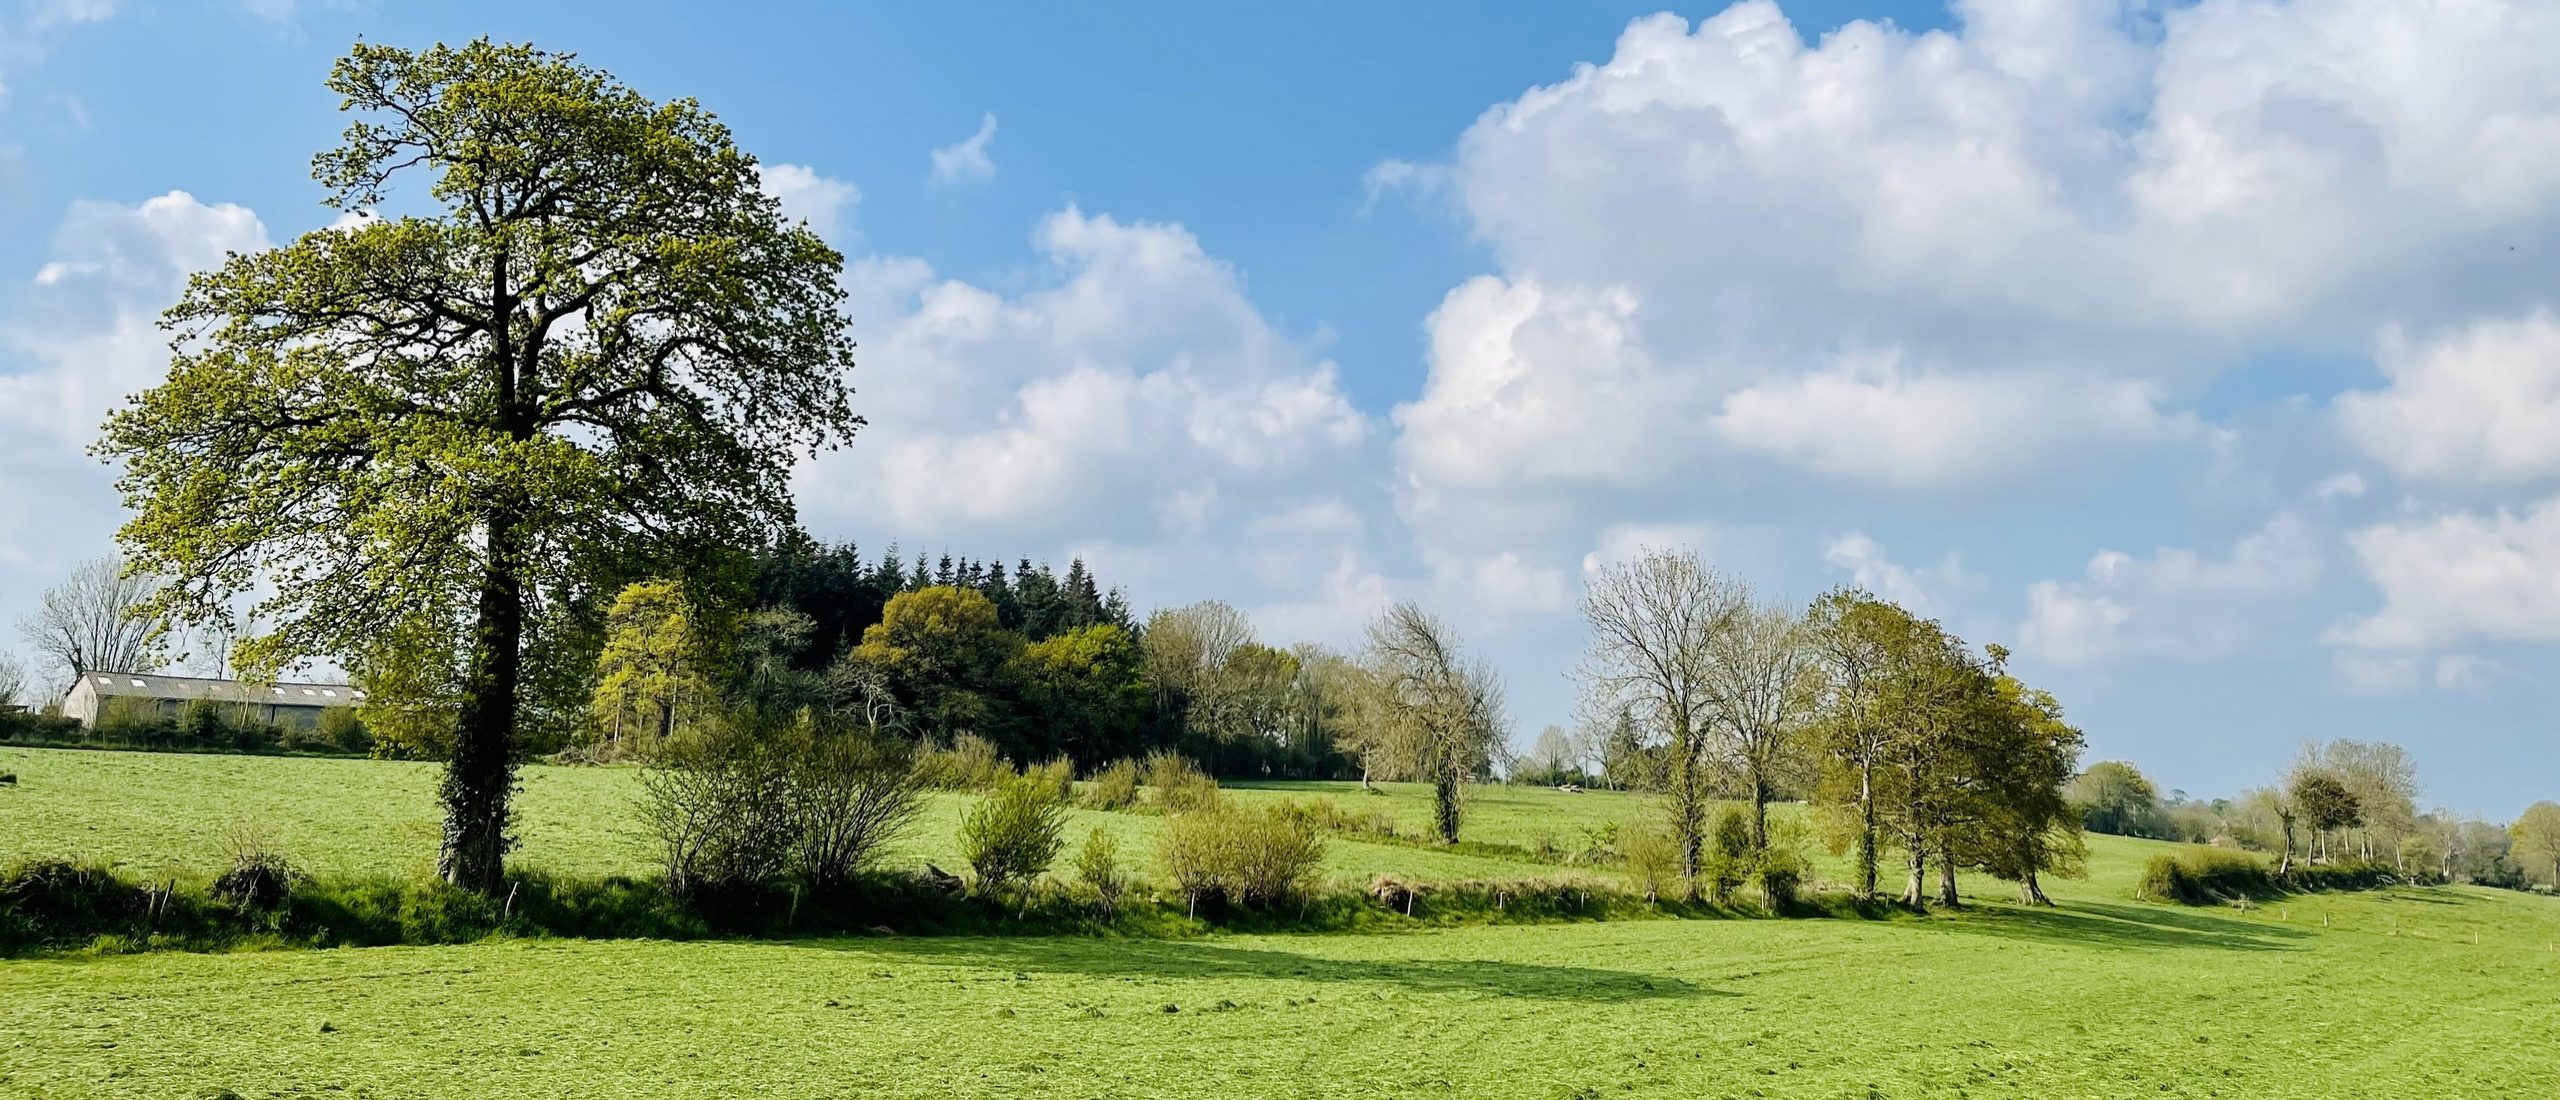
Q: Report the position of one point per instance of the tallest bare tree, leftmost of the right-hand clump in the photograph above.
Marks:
(1652, 654)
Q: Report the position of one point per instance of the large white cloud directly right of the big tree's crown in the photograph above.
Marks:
(1133, 403)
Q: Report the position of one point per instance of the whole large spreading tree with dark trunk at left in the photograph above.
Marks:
(595, 342)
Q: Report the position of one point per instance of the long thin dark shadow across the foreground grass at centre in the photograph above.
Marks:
(1140, 958)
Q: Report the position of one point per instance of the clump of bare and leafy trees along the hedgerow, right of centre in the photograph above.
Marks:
(1903, 735)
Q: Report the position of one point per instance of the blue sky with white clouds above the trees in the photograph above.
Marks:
(2198, 352)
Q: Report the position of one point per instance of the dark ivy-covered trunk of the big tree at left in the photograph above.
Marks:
(483, 769)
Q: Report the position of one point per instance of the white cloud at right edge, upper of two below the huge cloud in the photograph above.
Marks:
(2474, 408)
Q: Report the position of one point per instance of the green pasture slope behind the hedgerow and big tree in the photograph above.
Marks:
(173, 815)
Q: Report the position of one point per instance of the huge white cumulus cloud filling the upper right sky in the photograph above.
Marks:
(1957, 257)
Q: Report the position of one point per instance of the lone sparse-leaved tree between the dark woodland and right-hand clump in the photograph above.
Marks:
(1450, 707)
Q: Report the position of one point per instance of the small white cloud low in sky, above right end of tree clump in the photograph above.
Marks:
(2172, 605)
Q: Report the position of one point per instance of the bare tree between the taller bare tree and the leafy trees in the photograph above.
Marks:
(1765, 679)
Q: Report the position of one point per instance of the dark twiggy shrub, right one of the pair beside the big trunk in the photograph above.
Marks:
(854, 792)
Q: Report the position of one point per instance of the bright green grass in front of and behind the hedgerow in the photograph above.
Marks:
(2405, 994)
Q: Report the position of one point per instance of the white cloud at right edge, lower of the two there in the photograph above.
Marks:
(2461, 577)
